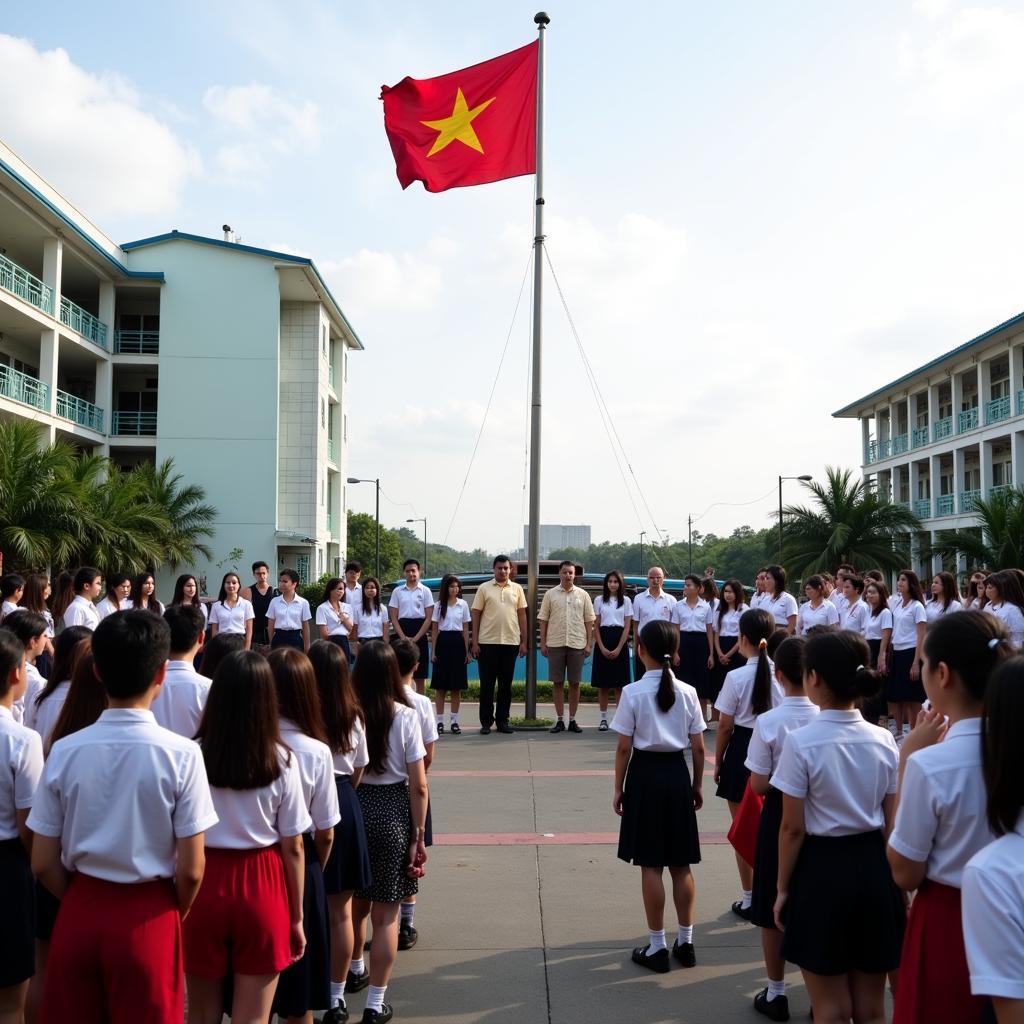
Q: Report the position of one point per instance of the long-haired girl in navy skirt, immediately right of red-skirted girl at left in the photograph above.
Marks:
(306, 986)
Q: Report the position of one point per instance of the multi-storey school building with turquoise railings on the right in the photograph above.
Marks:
(949, 433)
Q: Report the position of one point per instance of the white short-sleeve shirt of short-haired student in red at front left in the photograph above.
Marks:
(120, 794)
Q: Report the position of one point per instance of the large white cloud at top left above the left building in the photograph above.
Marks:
(90, 134)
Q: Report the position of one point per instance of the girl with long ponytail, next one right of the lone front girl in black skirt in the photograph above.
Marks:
(748, 693)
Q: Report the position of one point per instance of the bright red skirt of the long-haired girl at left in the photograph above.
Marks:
(240, 923)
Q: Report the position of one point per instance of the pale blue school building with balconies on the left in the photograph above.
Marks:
(231, 360)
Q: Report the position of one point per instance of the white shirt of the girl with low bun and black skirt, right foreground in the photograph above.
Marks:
(843, 769)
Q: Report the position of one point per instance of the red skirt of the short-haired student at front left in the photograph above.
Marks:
(115, 955)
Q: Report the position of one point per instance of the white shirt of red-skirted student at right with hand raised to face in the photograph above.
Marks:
(942, 817)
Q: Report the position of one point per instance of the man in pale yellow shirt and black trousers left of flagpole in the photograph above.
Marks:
(499, 638)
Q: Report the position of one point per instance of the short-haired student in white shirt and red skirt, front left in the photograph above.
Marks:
(119, 822)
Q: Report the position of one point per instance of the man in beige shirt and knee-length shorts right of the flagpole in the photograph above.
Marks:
(567, 620)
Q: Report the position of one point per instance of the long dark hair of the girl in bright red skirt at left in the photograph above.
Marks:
(239, 732)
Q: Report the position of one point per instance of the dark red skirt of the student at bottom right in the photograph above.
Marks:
(934, 984)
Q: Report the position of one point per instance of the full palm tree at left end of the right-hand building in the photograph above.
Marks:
(849, 524)
